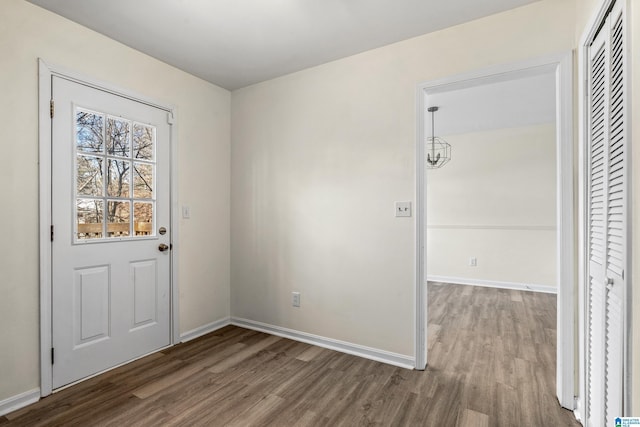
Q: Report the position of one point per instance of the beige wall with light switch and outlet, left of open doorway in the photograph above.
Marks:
(320, 156)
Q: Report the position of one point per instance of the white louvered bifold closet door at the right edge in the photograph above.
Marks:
(607, 216)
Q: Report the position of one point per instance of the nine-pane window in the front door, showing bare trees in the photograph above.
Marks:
(114, 176)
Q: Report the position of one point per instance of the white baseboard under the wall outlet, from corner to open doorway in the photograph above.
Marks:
(390, 358)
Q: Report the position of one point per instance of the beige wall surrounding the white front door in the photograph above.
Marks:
(27, 33)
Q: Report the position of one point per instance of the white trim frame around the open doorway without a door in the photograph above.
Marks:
(562, 66)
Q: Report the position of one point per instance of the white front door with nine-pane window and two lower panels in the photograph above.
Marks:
(110, 235)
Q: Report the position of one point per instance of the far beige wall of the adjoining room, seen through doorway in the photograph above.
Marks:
(496, 201)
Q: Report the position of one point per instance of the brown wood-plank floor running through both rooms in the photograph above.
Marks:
(491, 363)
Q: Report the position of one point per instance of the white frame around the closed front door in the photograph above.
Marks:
(45, 74)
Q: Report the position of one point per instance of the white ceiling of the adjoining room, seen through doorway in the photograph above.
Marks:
(514, 102)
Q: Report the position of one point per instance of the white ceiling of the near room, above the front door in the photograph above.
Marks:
(235, 43)
